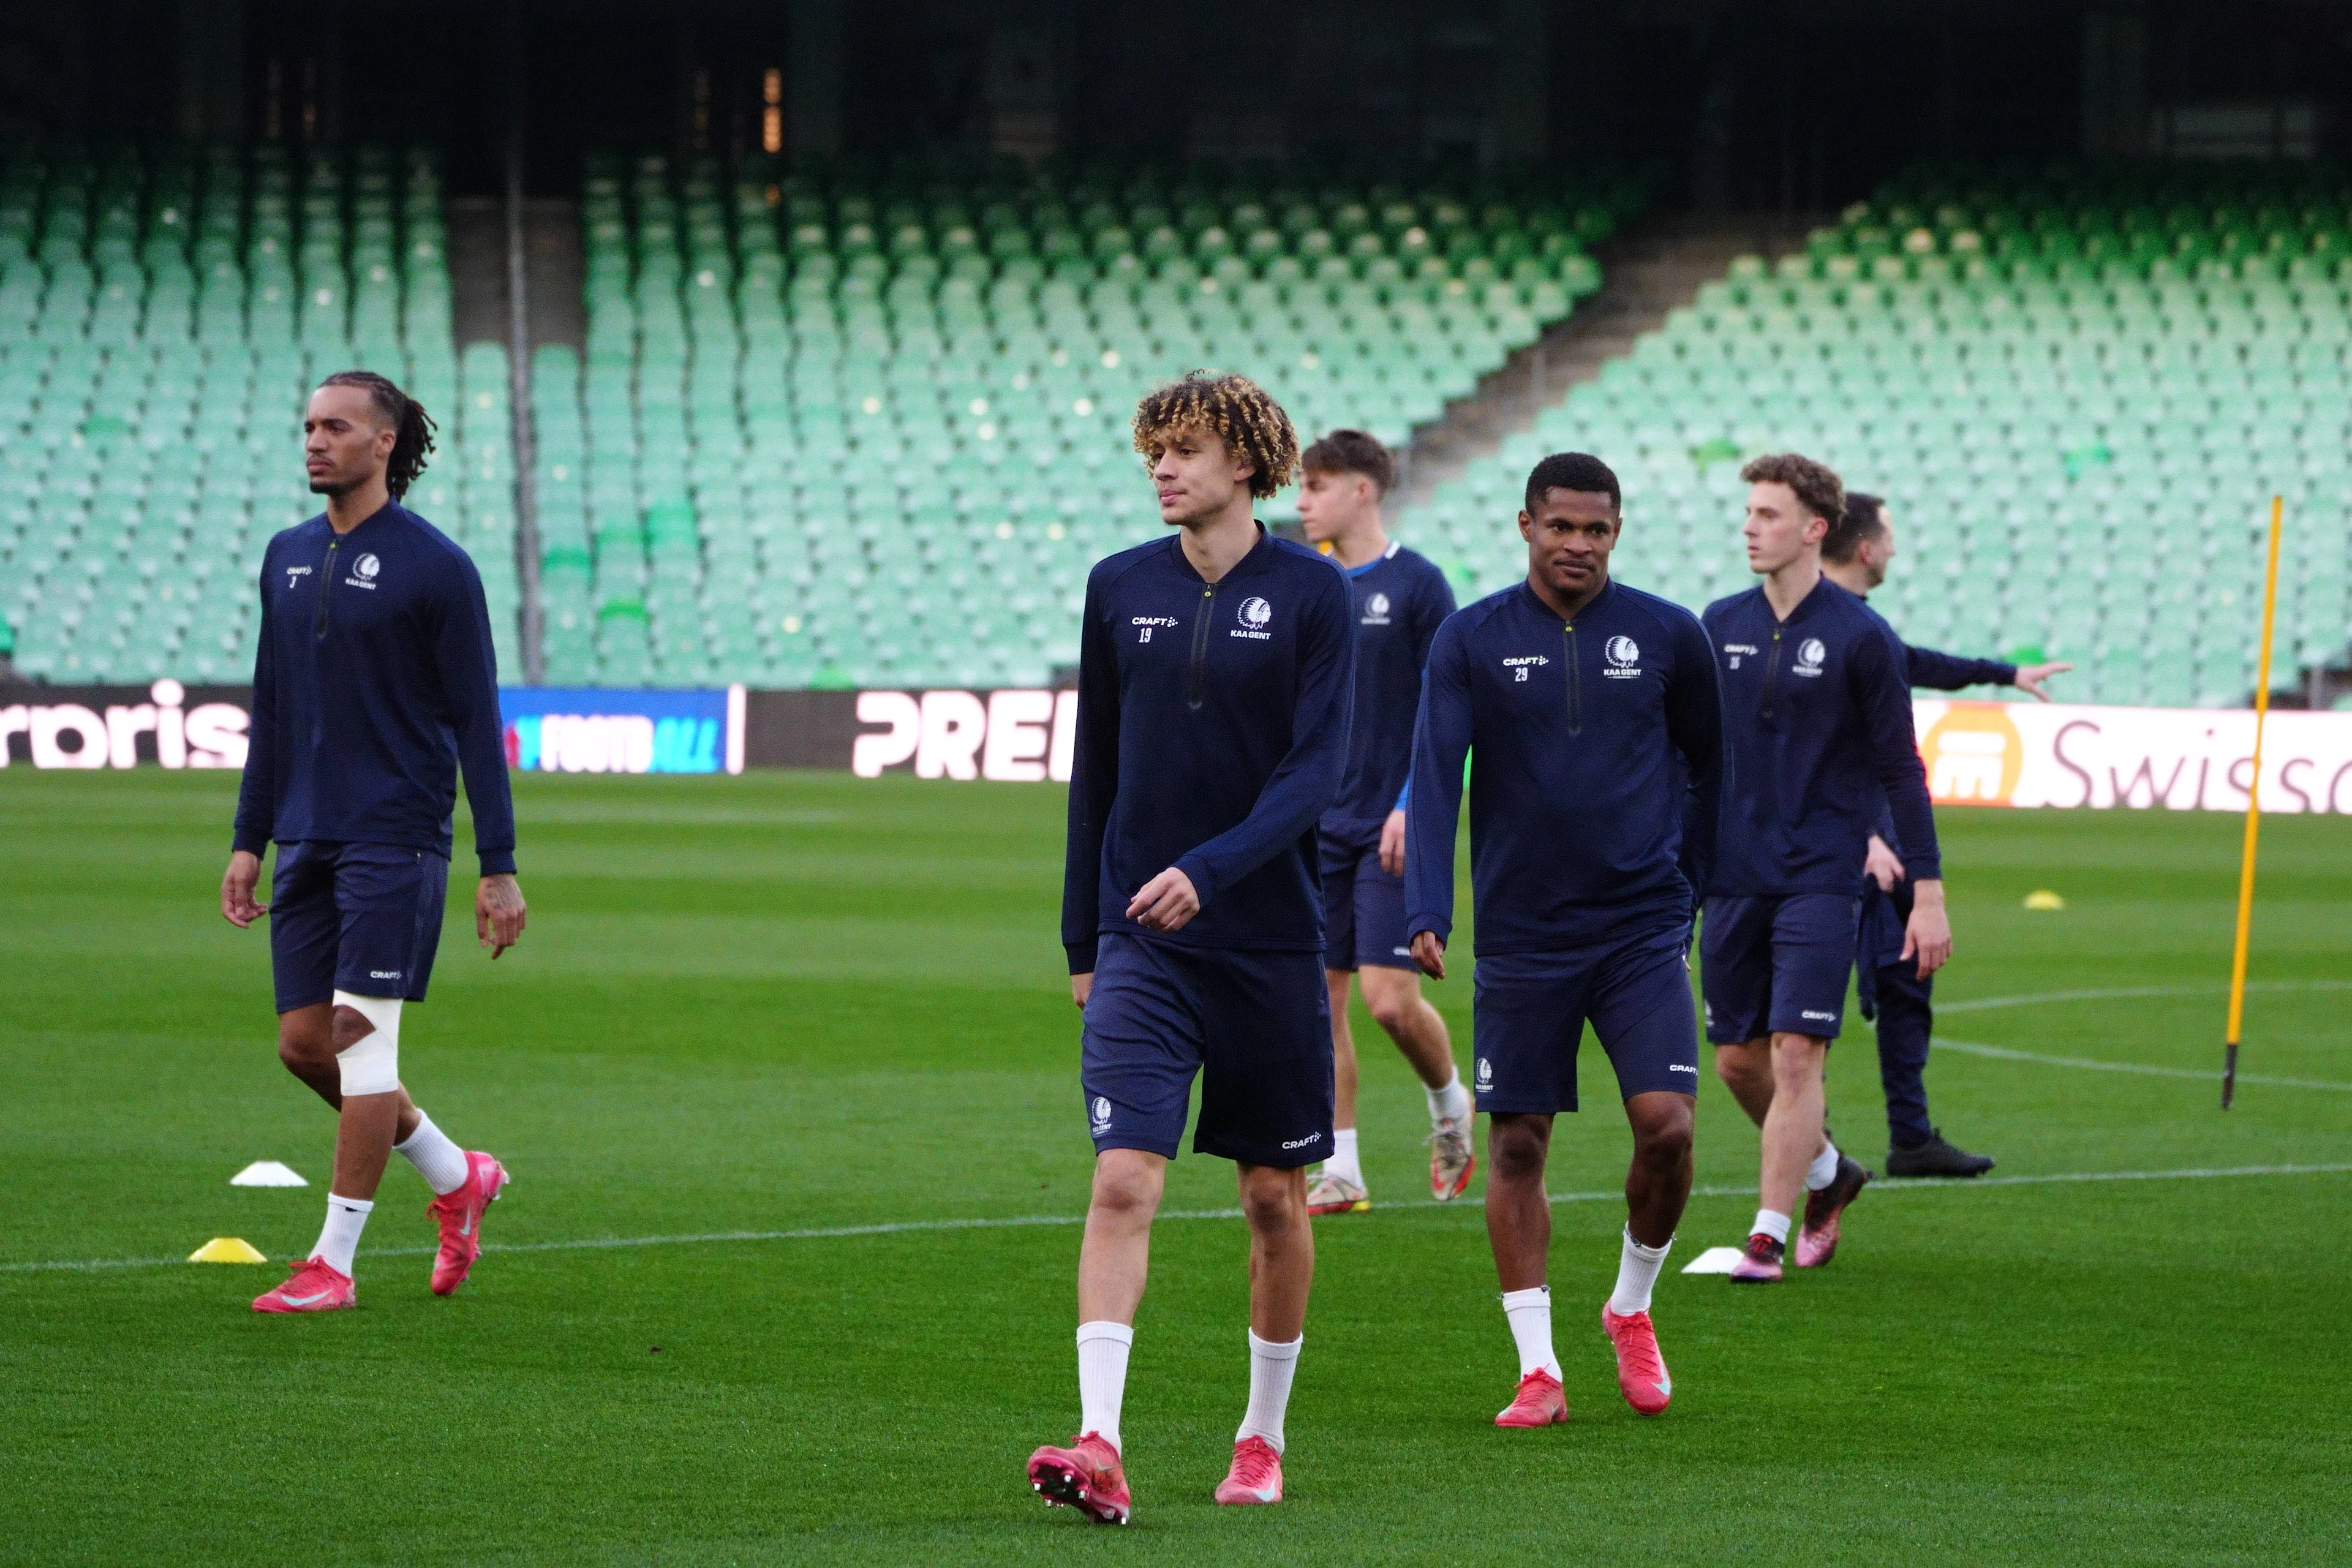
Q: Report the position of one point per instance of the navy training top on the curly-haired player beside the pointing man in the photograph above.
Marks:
(1819, 718)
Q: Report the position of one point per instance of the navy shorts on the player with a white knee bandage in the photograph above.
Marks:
(354, 918)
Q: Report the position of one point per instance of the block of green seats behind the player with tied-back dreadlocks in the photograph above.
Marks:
(163, 314)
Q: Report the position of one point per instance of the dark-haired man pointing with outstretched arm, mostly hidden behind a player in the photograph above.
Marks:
(1895, 993)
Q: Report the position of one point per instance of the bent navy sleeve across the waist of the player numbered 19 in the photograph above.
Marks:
(1309, 775)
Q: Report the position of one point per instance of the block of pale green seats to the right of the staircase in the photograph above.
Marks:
(2078, 389)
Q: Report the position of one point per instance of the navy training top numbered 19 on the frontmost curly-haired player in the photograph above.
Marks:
(1212, 732)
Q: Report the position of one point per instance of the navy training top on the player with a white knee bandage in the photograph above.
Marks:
(375, 683)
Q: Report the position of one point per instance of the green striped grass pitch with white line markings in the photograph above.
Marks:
(817, 1005)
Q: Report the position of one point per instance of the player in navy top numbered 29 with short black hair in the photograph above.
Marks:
(1593, 812)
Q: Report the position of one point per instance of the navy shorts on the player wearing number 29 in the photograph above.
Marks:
(1530, 1017)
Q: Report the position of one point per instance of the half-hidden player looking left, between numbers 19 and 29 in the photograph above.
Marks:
(1398, 603)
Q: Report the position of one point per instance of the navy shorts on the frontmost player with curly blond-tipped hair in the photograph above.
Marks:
(1255, 1026)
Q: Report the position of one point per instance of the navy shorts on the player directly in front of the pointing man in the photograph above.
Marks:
(1777, 965)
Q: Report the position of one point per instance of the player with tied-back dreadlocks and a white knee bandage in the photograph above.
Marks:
(375, 685)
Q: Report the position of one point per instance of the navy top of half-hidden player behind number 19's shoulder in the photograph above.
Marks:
(1401, 603)
